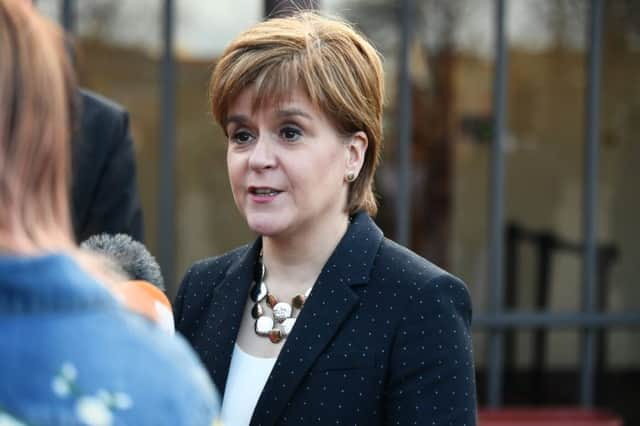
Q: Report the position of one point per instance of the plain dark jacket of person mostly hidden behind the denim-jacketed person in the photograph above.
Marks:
(104, 188)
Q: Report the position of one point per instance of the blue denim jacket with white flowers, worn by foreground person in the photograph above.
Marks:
(71, 355)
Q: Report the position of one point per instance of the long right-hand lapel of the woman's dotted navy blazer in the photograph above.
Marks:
(331, 302)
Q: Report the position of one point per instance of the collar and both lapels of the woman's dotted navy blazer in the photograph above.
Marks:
(330, 303)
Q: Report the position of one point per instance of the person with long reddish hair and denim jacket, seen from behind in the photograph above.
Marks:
(70, 353)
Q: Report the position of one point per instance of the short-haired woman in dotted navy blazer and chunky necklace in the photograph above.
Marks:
(321, 320)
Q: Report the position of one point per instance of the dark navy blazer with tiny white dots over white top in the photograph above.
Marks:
(383, 338)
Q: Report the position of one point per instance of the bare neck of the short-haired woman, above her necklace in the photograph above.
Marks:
(294, 262)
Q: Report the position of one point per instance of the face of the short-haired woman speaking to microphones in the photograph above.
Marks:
(287, 165)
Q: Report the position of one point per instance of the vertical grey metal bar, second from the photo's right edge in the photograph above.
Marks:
(496, 337)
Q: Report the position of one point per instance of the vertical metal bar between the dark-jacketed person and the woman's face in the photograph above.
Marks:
(166, 189)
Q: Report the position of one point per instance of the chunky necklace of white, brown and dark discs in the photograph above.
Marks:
(279, 325)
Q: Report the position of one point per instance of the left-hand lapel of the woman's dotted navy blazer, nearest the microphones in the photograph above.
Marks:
(225, 313)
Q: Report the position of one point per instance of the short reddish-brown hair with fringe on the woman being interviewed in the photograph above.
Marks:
(337, 68)
